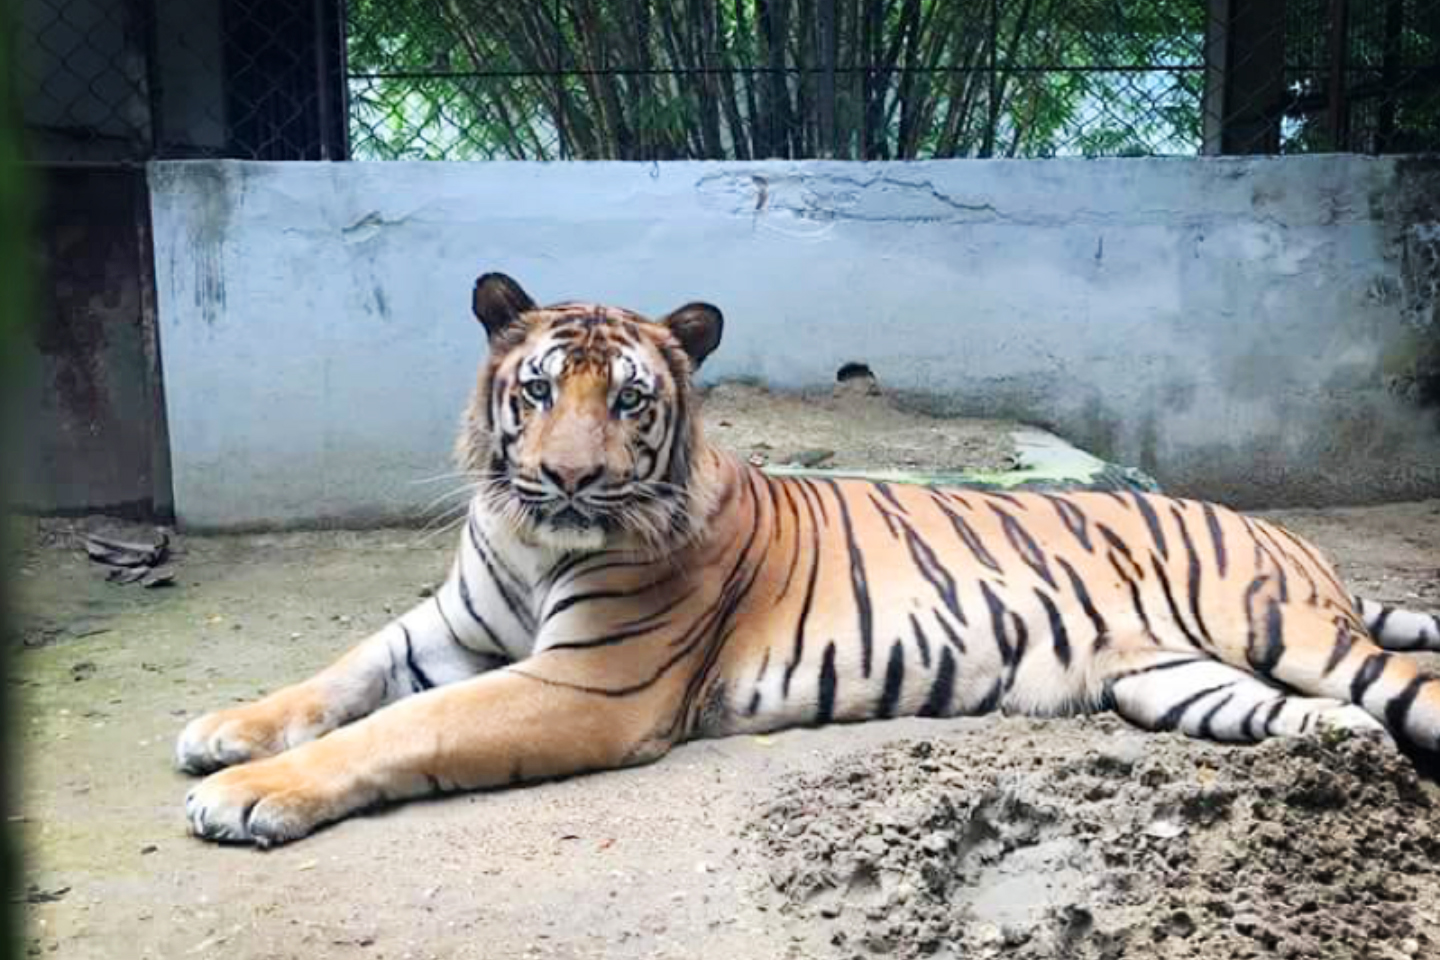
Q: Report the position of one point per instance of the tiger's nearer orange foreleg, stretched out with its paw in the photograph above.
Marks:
(500, 729)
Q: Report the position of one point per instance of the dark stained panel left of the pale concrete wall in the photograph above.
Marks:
(89, 409)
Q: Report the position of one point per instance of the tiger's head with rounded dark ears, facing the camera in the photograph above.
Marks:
(584, 433)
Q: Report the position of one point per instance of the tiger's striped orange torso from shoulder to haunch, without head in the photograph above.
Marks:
(852, 601)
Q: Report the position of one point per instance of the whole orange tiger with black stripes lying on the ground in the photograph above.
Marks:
(624, 587)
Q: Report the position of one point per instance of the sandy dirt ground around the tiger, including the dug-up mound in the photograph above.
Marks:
(989, 837)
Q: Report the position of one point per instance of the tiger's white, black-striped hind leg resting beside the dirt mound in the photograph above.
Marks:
(1203, 697)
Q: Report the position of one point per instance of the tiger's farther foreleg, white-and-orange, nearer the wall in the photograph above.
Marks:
(410, 656)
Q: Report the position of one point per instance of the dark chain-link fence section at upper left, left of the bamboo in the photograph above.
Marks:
(133, 80)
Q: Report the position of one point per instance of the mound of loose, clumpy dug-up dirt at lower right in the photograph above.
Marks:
(1163, 850)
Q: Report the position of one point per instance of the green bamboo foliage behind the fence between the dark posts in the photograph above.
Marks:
(755, 78)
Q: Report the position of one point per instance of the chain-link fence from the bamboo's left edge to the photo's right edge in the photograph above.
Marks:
(873, 80)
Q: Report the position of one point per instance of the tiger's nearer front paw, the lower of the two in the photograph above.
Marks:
(266, 802)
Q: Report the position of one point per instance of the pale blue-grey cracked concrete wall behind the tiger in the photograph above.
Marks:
(1251, 330)
